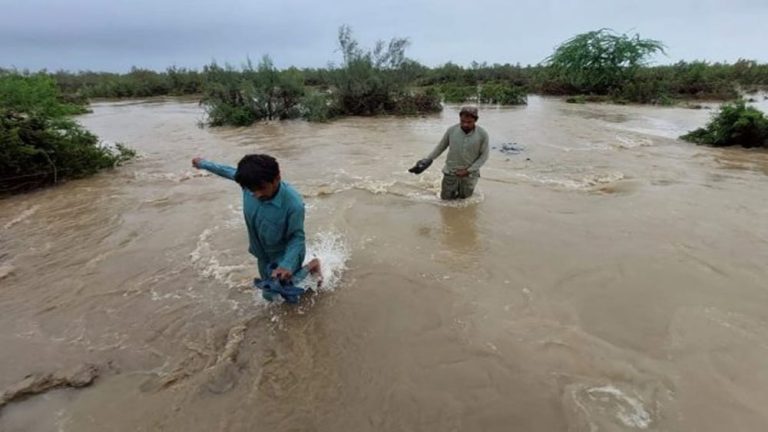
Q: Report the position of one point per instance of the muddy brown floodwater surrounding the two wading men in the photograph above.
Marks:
(607, 278)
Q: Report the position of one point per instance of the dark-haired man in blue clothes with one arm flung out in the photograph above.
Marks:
(274, 216)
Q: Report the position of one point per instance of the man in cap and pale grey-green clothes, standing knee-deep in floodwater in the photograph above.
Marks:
(467, 146)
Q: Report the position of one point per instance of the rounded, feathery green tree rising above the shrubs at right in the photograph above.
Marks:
(601, 61)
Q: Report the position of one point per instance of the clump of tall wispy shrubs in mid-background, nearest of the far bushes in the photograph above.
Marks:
(368, 82)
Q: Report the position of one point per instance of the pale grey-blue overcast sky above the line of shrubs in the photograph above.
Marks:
(113, 35)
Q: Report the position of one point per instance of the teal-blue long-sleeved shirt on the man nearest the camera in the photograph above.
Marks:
(275, 227)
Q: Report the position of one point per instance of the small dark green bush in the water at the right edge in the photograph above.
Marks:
(734, 124)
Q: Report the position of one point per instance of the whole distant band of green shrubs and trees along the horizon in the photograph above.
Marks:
(596, 66)
